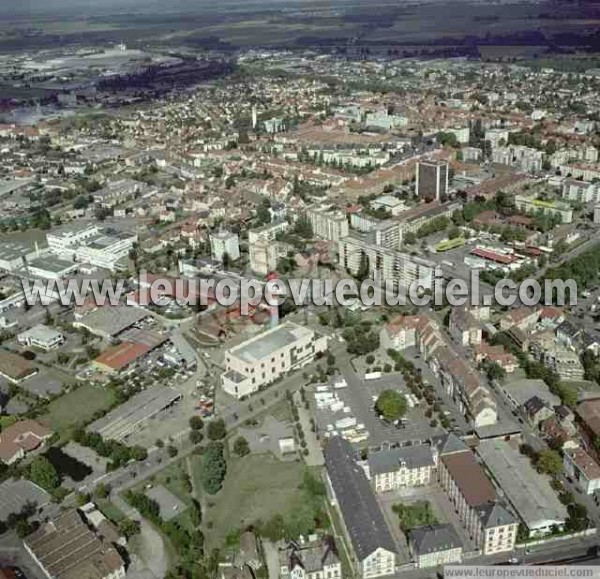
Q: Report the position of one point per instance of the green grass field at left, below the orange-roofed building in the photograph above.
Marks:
(77, 407)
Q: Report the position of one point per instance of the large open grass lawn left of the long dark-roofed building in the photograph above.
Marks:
(256, 487)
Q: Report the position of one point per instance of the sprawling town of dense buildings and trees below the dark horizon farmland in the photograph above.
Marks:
(183, 438)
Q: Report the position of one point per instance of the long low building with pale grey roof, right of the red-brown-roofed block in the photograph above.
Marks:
(528, 491)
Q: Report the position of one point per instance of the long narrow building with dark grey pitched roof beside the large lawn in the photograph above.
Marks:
(362, 516)
